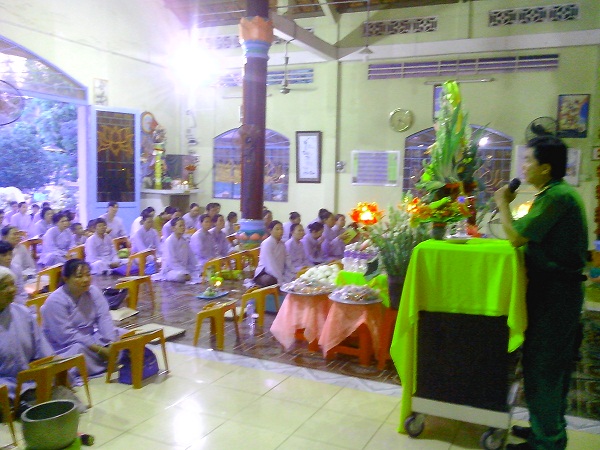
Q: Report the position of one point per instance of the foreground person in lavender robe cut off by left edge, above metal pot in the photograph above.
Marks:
(21, 340)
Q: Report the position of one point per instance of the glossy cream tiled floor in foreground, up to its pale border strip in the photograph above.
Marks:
(215, 400)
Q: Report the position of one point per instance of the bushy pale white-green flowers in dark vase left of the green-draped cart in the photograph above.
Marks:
(396, 237)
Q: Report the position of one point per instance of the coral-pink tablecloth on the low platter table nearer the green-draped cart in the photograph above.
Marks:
(343, 319)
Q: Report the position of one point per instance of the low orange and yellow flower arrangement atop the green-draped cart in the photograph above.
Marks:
(445, 210)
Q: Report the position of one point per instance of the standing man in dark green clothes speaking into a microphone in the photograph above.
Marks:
(554, 233)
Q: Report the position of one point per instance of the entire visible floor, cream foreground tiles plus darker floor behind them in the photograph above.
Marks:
(256, 395)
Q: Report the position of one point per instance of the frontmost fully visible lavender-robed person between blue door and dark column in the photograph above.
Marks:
(178, 261)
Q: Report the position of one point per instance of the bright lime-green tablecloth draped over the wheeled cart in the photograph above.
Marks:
(483, 277)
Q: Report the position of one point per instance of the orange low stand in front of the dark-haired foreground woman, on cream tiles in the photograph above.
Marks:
(135, 344)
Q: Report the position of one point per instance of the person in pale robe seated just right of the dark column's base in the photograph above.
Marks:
(274, 266)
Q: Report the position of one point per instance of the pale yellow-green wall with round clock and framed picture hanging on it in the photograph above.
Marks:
(128, 44)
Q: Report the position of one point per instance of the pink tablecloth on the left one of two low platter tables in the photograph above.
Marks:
(297, 312)
